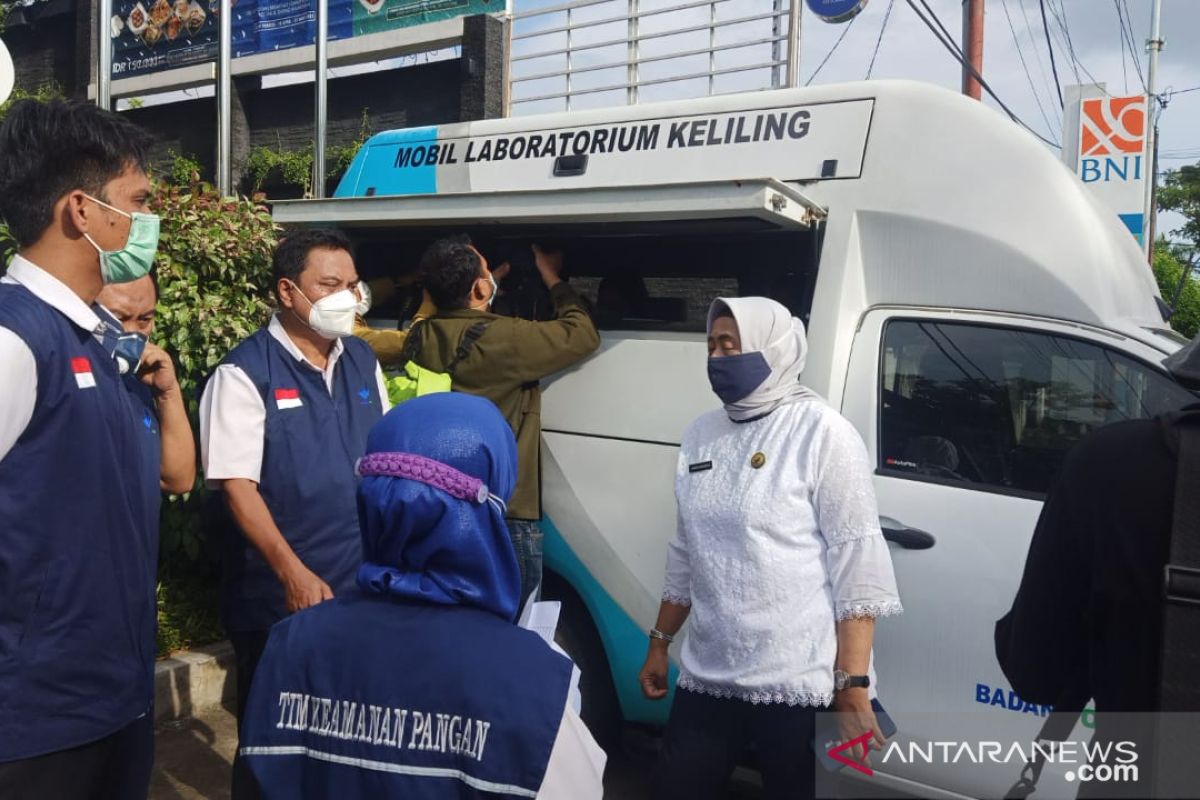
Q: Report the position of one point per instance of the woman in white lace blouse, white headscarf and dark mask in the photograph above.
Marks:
(778, 562)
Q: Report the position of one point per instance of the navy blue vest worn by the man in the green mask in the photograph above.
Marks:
(79, 540)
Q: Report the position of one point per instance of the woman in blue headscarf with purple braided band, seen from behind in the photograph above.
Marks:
(422, 685)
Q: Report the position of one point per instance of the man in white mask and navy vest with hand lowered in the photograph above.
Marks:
(284, 419)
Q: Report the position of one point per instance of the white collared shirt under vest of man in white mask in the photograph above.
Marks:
(233, 417)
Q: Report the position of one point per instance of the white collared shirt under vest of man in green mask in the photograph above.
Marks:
(19, 370)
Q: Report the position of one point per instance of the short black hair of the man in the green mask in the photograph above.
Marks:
(51, 149)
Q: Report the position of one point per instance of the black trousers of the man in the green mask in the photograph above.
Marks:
(115, 768)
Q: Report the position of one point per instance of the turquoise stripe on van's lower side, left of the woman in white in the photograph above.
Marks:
(625, 642)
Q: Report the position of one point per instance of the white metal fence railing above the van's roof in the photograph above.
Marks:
(592, 52)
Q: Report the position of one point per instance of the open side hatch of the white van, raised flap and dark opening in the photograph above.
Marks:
(646, 257)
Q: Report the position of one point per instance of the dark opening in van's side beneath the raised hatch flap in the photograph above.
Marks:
(644, 281)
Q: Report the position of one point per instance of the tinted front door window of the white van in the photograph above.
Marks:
(998, 408)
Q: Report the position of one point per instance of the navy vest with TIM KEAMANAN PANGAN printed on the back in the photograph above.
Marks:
(369, 697)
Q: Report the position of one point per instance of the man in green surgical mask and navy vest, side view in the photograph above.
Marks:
(79, 470)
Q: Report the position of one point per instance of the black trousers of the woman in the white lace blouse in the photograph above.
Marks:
(707, 736)
